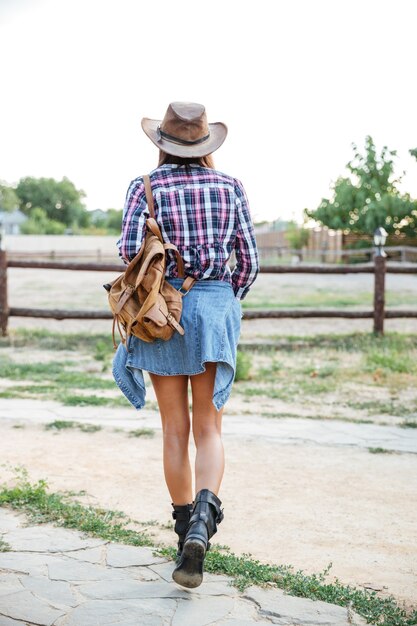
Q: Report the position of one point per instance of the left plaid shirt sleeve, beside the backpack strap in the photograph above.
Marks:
(135, 214)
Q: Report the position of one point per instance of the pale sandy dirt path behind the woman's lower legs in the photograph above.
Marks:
(288, 504)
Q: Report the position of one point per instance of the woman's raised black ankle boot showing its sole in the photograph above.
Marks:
(205, 516)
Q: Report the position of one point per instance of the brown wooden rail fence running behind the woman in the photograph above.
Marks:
(379, 268)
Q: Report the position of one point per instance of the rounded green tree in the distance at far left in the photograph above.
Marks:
(61, 200)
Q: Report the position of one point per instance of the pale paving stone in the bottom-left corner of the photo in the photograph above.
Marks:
(23, 605)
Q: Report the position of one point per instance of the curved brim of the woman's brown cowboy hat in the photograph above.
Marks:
(218, 132)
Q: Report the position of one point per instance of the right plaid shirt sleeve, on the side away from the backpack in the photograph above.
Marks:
(247, 261)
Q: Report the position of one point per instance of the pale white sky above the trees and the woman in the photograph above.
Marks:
(297, 82)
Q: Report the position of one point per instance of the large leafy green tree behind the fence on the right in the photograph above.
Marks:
(369, 197)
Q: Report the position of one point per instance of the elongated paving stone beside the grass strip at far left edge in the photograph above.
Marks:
(48, 538)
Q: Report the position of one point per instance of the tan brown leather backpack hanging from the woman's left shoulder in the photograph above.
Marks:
(143, 303)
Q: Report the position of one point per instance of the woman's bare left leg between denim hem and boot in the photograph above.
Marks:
(172, 395)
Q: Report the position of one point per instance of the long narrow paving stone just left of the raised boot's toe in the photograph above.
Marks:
(131, 589)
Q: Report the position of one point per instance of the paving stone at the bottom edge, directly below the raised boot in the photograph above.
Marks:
(200, 611)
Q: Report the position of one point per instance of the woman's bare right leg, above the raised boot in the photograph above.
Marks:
(207, 424)
